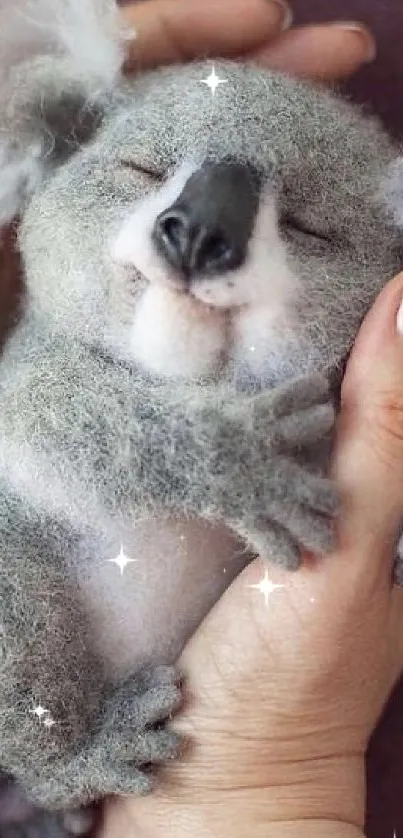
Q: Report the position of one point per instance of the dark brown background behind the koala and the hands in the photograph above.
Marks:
(381, 85)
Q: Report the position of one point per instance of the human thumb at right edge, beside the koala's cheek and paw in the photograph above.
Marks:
(369, 451)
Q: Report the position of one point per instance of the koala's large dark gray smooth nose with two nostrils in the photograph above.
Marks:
(207, 230)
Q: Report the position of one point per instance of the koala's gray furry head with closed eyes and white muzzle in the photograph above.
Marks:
(201, 233)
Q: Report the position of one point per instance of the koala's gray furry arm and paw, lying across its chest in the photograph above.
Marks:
(158, 448)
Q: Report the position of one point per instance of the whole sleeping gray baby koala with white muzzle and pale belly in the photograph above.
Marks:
(197, 265)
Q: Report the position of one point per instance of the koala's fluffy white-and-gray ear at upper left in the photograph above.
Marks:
(60, 61)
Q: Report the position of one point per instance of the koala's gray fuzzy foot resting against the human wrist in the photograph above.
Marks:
(129, 738)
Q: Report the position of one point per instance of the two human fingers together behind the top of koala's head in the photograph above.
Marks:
(177, 30)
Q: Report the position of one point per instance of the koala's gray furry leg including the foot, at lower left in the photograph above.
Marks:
(65, 736)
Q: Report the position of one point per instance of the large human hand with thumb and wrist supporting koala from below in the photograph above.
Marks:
(283, 697)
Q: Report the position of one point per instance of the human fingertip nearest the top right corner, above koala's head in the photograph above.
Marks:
(323, 52)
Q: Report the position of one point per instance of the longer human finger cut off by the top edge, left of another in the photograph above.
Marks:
(178, 30)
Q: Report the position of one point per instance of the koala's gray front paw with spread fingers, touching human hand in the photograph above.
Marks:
(267, 488)
